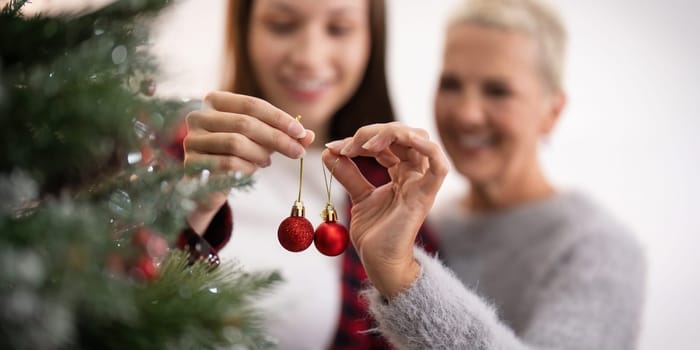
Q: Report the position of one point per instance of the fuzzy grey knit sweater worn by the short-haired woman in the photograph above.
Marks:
(555, 274)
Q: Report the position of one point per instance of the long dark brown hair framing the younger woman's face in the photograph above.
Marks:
(370, 103)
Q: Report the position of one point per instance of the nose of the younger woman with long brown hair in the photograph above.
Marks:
(309, 48)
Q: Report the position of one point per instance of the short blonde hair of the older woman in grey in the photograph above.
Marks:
(530, 17)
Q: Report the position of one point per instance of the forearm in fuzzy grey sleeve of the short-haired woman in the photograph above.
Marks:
(438, 312)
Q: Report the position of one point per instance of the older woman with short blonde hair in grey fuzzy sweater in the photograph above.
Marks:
(530, 266)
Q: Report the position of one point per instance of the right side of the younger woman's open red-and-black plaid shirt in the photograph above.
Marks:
(355, 324)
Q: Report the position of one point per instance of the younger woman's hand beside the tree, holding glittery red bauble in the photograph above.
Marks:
(238, 133)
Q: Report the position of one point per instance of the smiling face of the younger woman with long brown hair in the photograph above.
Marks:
(309, 56)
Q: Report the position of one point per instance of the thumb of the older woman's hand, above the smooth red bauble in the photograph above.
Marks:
(347, 173)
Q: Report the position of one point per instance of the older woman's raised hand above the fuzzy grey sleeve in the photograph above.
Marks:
(386, 219)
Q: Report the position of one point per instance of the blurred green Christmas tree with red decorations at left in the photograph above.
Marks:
(88, 199)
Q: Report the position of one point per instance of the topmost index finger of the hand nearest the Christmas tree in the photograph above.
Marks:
(267, 113)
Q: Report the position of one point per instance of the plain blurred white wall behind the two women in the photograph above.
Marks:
(629, 135)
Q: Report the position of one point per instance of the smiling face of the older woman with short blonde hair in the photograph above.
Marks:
(492, 105)
